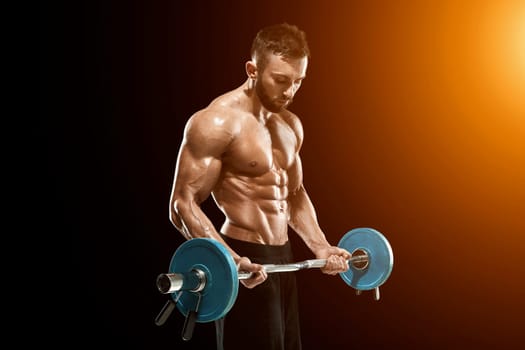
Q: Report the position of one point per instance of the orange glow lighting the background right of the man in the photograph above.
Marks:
(418, 130)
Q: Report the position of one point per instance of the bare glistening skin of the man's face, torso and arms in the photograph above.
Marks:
(243, 149)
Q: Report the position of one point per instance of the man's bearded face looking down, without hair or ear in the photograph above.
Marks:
(279, 80)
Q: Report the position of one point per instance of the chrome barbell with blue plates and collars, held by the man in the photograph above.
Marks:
(203, 279)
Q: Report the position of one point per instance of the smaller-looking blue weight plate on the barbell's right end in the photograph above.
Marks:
(380, 258)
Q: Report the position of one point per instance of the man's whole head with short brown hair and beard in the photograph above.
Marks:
(279, 58)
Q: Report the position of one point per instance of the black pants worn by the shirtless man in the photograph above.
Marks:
(265, 317)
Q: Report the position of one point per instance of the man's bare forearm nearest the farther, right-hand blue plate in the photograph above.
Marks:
(303, 220)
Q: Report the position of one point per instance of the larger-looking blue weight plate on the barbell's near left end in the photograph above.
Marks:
(222, 283)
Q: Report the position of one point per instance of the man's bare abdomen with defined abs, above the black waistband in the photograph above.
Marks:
(256, 208)
